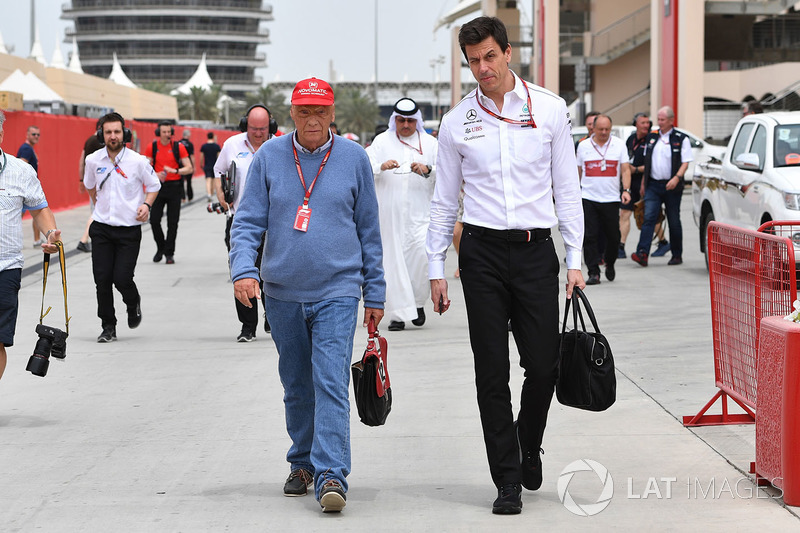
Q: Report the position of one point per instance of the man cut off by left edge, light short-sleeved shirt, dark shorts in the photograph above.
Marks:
(19, 190)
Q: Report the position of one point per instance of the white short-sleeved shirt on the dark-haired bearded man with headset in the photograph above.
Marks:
(119, 188)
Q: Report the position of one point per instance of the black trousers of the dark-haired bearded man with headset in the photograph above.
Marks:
(115, 250)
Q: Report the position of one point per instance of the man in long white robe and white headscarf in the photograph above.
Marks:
(403, 160)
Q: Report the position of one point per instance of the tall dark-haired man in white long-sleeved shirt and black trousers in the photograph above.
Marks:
(510, 144)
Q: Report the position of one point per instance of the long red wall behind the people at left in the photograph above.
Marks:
(61, 143)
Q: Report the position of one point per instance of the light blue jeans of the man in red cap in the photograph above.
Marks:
(315, 346)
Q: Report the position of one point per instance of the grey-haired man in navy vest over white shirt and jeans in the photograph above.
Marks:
(667, 154)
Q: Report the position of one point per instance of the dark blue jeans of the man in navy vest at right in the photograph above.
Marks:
(656, 194)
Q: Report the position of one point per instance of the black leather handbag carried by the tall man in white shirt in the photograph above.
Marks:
(586, 378)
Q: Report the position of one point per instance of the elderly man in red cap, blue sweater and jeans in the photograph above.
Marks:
(313, 194)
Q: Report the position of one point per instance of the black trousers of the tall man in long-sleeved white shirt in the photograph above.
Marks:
(519, 281)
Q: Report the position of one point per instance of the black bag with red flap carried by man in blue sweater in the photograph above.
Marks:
(371, 381)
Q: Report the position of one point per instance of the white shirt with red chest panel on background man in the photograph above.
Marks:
(601, 168)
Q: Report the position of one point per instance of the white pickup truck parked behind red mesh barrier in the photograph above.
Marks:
(756, 181)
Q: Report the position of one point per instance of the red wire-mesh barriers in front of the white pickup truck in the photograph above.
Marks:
(751, 275)
